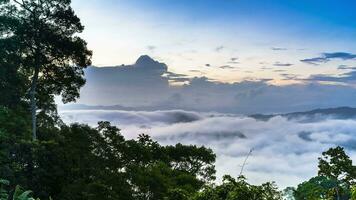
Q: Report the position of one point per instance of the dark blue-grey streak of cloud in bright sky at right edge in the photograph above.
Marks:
(326, 57)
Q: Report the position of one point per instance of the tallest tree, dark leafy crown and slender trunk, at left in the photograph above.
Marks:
(42, 37)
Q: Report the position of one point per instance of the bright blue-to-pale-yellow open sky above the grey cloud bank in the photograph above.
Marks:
(225, 40)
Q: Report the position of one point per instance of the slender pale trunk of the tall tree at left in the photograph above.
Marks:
(33, 103)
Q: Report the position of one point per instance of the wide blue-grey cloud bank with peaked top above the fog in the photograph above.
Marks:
(149, 85)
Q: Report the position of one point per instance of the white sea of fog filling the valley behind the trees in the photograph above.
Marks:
(284, 150)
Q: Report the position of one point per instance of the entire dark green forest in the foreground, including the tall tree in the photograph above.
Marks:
(41, 57)
